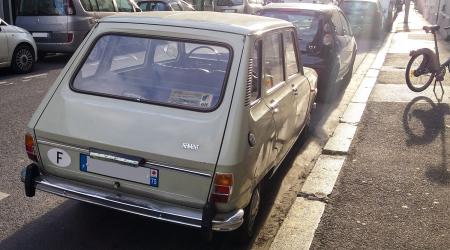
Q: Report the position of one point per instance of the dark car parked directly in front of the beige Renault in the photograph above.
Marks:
(327, 43)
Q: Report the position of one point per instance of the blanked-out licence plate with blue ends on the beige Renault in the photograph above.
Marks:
(148, 176)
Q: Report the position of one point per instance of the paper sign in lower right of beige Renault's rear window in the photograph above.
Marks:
(190, 98)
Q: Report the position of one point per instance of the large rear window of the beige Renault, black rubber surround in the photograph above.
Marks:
(167, 72)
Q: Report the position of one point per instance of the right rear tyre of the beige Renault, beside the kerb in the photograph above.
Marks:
(245, 233)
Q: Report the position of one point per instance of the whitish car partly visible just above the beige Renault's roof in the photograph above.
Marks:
(239, 6)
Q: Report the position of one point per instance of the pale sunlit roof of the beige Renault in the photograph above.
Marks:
(225, 22)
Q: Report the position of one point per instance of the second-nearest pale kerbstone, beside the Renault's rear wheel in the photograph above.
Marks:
(322, 178)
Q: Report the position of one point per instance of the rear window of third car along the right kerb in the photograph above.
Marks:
(359, 12)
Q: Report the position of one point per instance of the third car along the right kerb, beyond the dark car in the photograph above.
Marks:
(365, 17)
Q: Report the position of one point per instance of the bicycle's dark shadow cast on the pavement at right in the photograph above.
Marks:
(424, 122)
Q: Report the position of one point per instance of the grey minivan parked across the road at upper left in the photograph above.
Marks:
(61, 25)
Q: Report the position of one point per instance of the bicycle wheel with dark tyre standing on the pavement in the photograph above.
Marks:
(418, 83)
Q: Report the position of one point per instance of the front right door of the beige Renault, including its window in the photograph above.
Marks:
(296, 80)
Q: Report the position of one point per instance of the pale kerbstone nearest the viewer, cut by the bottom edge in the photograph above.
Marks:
(297, 231)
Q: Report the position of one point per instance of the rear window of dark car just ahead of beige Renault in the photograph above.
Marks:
(306, 22)
